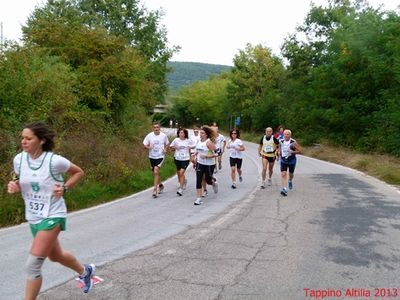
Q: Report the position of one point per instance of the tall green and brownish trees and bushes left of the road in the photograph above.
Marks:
(81, 72)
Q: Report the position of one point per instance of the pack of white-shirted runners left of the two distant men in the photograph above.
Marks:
(204, 149)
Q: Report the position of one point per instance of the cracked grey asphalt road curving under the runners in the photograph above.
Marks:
(336, 232)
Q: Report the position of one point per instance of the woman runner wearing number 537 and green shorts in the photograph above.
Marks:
(39, 179)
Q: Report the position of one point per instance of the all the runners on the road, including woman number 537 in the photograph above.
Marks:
(38, 176)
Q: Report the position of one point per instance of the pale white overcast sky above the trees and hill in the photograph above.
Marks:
(209, 31)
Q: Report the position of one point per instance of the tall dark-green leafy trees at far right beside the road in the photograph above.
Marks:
(343, 80)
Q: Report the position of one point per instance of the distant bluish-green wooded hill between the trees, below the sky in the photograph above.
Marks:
(184, 73)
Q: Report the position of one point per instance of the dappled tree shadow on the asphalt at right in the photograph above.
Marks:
(358, 221)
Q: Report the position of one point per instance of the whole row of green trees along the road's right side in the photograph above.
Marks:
(340, 82)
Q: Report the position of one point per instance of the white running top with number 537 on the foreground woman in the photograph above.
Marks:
(37, 179)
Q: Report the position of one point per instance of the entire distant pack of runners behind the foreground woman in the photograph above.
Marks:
(205, 147)
